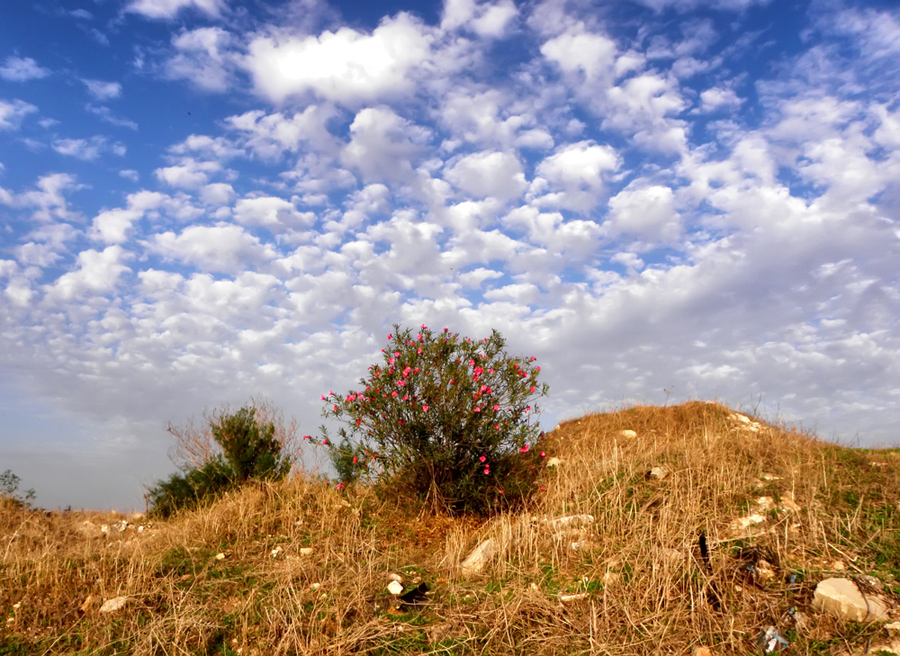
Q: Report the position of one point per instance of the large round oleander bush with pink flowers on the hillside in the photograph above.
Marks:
(449, 419)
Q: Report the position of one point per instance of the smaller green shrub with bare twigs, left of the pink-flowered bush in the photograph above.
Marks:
(234, 449)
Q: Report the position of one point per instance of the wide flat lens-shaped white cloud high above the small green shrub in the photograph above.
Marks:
(224, 248)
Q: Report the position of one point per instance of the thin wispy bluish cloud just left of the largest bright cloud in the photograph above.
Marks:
(202, 58)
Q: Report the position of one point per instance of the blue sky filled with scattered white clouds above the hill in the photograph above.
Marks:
(206, 201)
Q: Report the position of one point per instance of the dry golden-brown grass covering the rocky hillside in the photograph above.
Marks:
(648, 590)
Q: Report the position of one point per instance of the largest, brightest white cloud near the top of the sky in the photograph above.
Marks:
(346, 66)
